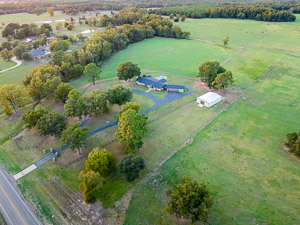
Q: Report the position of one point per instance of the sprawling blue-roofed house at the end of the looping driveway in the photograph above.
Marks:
(158, 84)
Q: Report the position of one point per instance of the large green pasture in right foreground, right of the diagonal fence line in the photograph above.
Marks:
(240, 156)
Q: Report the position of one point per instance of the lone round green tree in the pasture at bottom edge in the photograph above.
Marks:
(189, 200)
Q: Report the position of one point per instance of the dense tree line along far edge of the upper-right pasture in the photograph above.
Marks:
(233, 11)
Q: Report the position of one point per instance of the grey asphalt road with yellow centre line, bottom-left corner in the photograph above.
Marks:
(12, 205)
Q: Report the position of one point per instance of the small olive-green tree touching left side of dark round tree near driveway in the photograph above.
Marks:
(31, 117)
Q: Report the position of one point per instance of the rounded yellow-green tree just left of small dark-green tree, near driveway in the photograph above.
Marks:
(101, 161)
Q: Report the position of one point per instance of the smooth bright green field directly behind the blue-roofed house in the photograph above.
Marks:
(169, 55)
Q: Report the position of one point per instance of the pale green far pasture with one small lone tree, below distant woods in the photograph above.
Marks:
(279, 36)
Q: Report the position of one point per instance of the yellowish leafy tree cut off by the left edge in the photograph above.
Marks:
(12, 97)
